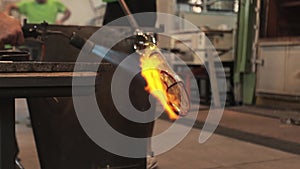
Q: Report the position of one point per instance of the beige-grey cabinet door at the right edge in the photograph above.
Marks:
(280, 72)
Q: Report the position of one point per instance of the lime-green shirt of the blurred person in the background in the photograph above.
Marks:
(37, 13)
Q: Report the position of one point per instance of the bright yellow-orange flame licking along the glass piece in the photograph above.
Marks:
(155, 84)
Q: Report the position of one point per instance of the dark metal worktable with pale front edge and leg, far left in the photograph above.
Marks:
(31, 79)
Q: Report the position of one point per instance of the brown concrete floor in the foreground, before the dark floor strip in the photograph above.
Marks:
(224, 152)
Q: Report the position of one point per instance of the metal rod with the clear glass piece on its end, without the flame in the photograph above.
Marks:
(146, 42)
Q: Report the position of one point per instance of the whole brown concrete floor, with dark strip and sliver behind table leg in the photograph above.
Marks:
(242, 141)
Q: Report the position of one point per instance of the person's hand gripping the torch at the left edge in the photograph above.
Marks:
(10, 31)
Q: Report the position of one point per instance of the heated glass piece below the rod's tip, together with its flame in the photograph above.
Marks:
(162, 82)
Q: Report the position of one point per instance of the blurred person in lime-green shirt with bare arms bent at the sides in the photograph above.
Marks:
(38, 11)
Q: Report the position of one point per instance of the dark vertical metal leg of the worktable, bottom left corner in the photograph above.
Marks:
(8, 146)
